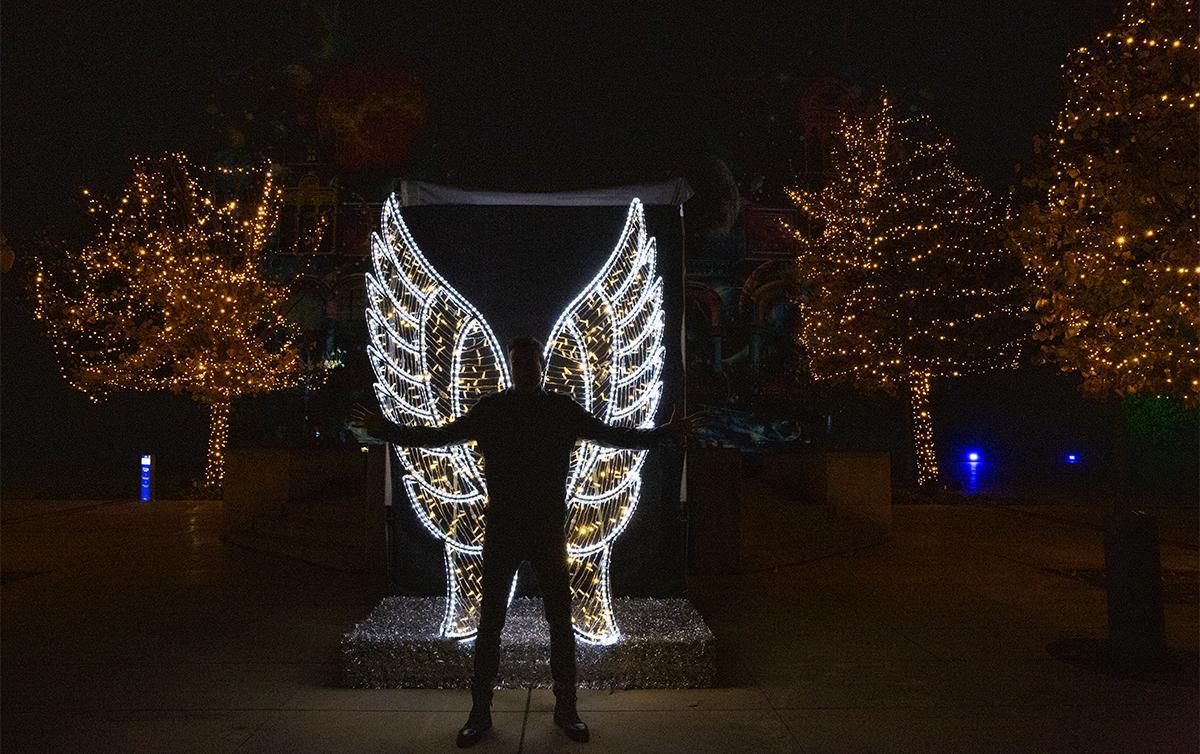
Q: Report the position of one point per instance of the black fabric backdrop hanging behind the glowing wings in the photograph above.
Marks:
(520, 266)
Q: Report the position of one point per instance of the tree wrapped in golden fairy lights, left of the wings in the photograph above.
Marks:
(170, 295)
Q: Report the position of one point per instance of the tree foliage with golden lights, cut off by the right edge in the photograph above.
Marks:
(1112, 244)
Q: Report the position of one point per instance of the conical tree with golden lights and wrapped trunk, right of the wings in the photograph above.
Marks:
(908, 276)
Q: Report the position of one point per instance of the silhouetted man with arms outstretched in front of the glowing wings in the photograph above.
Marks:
(526, 436)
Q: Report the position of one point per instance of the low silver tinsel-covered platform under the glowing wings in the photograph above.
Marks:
(665, 644)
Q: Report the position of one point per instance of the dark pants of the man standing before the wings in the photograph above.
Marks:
(505, 548)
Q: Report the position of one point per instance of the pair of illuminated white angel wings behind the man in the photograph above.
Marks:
(434, 356)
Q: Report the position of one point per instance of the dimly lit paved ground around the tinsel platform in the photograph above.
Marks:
(131, 627)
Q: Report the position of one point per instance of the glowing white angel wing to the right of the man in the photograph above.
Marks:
(607, 352)
